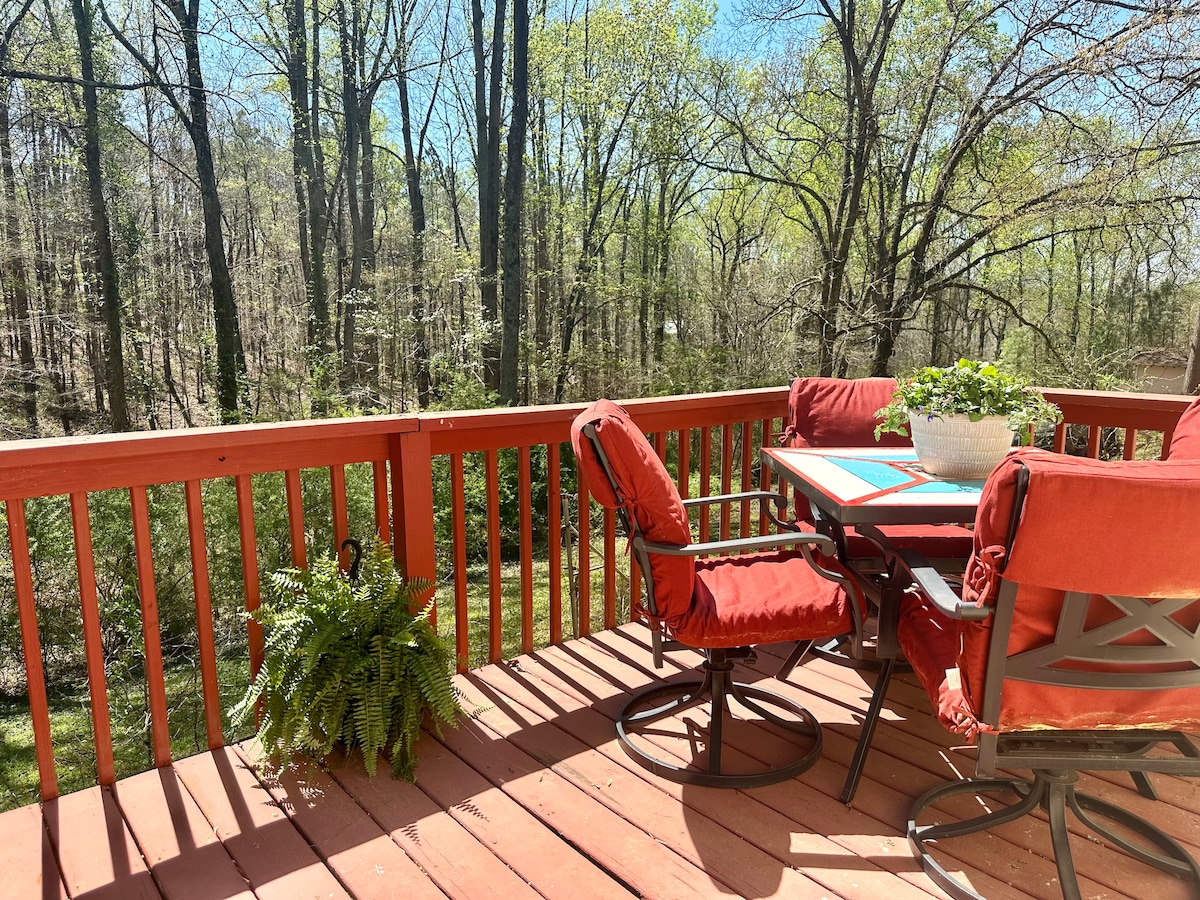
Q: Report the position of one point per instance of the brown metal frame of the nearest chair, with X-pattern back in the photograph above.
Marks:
(1057, 758)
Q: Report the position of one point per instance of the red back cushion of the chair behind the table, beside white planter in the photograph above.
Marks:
(839, 412)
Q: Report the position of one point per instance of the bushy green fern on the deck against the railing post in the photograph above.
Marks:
(347, 662)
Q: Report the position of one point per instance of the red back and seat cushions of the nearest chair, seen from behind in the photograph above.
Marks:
(1091, 527)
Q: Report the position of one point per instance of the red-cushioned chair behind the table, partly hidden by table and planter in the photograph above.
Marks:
(842, 413)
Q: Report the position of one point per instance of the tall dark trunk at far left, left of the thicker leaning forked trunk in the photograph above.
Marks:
(104, 260)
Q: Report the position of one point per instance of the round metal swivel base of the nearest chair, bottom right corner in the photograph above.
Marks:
(1055, 793)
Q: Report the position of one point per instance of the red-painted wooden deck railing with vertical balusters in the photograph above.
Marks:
(705, 439)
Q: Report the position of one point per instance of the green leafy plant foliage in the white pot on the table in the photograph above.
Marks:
(968, 388)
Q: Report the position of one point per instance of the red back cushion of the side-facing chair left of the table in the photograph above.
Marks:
(641, 485)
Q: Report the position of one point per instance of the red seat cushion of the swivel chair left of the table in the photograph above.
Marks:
(761, 598)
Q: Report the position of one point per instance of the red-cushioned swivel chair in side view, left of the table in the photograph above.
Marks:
(721, 605)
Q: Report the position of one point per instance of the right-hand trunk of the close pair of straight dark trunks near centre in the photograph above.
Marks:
(514, 203)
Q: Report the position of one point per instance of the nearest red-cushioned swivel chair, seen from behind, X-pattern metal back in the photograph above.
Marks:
(1073, 647)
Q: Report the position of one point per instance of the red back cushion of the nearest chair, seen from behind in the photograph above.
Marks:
(1109, 533)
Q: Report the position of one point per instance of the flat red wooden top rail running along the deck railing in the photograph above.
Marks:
(97, 463)
